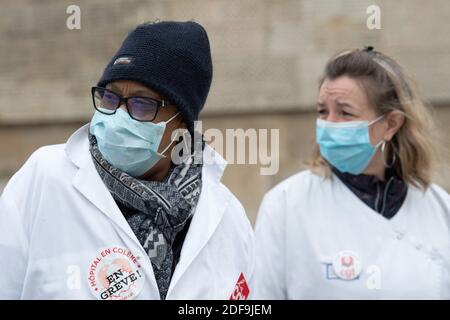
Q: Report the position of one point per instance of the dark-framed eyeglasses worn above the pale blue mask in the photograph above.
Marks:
(142, 109)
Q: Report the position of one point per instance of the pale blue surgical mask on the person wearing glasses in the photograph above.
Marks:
(127, 144)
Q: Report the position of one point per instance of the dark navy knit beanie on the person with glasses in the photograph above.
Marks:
(172, 58)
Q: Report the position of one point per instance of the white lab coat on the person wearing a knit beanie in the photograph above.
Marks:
(56, 215)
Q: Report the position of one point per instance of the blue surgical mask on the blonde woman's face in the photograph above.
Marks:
(346, 145)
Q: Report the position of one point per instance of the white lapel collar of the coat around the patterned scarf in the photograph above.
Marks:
(210, 208)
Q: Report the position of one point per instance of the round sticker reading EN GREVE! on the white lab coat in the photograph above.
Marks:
(115, 274)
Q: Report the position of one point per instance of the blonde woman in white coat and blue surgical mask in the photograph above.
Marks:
(365, 221)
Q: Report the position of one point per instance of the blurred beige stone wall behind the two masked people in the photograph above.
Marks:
(268, 56)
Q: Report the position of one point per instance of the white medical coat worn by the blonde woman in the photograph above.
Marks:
(306, 221)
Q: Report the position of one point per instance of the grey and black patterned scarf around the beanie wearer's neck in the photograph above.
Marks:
(156, 211)
